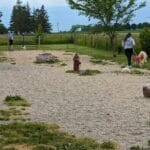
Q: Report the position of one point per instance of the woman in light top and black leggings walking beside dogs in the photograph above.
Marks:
(128, 44)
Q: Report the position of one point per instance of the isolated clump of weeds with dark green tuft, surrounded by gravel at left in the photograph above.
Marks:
(16, 101)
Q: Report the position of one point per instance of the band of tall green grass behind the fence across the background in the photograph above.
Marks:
(99, 41)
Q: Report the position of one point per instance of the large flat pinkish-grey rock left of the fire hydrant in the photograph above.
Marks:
(46, 58)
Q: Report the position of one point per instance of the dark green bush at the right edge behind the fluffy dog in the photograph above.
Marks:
(145, 40)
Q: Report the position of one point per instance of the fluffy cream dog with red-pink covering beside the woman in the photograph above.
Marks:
(141, 58)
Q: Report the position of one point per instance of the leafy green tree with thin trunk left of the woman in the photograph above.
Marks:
(108, 13)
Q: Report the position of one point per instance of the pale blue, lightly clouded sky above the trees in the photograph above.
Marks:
(61, 16)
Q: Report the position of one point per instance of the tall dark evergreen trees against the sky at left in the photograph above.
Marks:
(25, 21)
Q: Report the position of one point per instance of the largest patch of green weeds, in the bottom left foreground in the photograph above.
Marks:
(43, 136)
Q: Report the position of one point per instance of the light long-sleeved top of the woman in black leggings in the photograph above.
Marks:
(129, 43)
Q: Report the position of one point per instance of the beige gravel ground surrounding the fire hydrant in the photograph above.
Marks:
(107, 106)
